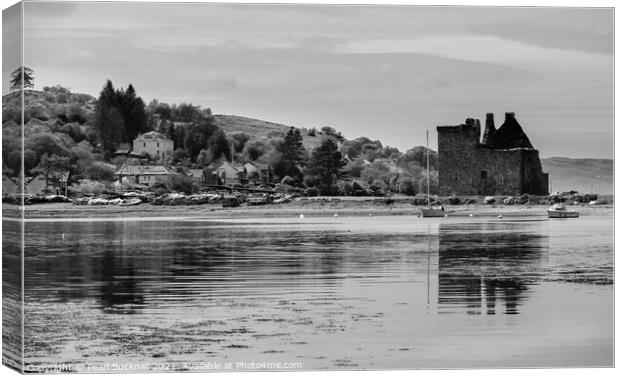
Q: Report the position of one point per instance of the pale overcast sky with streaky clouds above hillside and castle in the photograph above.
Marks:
(388, 73)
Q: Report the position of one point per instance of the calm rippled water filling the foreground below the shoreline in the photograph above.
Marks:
(353, 292)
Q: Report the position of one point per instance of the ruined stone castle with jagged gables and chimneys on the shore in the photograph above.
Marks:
(503, 163)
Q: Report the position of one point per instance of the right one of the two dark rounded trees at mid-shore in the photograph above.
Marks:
(325, 167)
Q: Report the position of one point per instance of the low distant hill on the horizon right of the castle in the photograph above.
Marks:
(582, 175)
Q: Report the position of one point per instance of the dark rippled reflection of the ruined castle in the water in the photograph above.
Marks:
(485, 268)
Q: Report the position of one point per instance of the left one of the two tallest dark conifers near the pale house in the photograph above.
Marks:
(109, 120)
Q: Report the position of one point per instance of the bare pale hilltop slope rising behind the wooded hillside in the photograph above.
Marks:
(259, 128)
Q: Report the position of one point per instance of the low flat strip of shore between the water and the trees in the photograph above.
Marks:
(324, 206)
